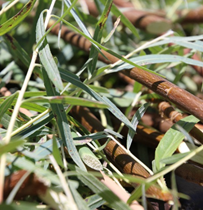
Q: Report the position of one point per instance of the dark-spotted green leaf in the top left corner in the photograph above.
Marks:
(15, 20)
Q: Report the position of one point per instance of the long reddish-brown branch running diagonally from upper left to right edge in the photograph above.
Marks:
(183, 99)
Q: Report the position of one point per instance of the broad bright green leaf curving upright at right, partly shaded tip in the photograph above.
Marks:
(171, 140)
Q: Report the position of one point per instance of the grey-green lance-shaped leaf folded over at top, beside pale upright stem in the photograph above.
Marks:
(46, 56)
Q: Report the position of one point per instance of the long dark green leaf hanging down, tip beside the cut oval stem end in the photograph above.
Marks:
(62, 123)
